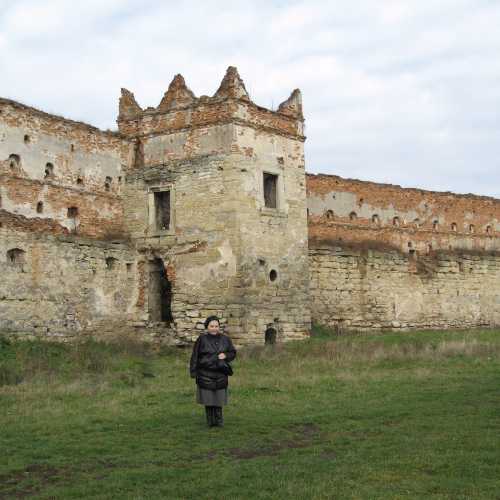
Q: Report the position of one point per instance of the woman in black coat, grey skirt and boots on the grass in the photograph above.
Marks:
(212, 353)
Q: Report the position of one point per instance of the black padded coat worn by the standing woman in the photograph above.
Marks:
(209, 371)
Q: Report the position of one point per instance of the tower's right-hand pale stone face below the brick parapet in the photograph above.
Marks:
(273, 257)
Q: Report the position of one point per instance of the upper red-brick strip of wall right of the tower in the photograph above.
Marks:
(352, 211)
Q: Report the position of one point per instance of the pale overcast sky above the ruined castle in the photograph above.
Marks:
(399, 91)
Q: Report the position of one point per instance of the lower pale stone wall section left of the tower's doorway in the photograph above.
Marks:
(62, 286)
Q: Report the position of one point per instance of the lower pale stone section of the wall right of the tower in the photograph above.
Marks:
(372, 289)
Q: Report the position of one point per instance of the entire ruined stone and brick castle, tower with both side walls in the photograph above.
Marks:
(202, 206)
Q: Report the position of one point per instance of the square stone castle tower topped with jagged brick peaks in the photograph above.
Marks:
(215, 202)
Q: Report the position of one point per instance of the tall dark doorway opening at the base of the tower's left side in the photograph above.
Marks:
(160, 293)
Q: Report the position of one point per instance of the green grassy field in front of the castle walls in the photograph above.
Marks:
(395, 415)
